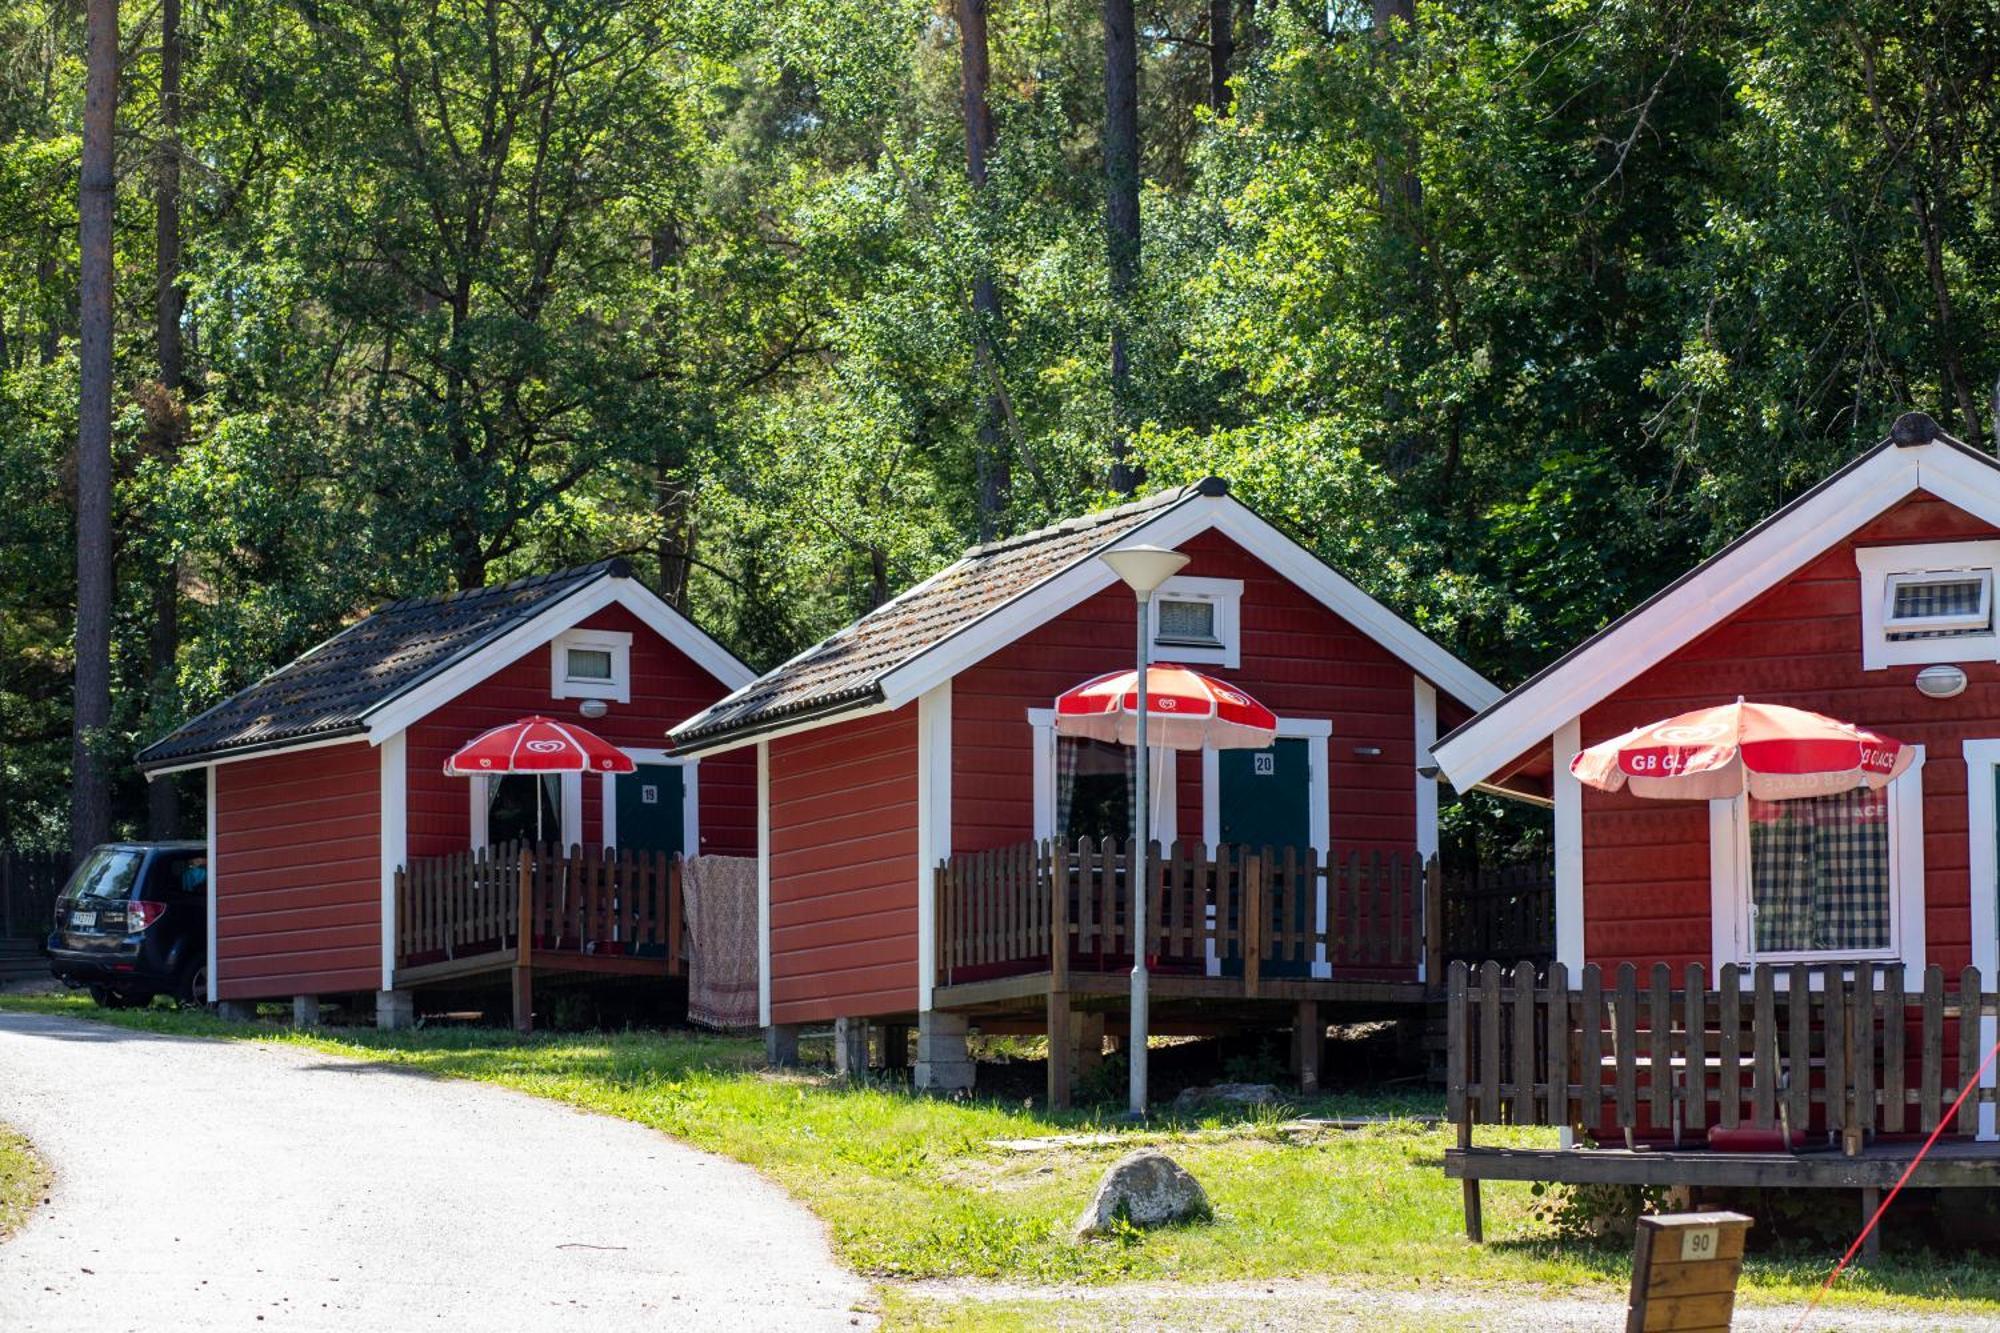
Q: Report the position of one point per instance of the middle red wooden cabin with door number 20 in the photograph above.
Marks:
(923, 734)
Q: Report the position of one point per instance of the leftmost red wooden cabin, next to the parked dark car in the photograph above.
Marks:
(327, 776)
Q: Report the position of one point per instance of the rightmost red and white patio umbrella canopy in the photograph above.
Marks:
(1771, 752)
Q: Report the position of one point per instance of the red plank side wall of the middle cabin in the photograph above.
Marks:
(843, 870)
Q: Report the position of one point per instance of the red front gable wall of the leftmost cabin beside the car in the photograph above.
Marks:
(667, 688)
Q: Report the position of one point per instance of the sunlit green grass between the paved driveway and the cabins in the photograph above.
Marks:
(913, 1190)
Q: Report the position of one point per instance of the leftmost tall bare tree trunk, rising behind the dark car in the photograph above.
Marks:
(163, 641)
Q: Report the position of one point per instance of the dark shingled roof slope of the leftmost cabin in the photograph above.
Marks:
(329, 692)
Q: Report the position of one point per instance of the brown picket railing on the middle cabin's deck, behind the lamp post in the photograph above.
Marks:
(1233, 912)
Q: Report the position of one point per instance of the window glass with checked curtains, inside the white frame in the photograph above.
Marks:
(1819, 874)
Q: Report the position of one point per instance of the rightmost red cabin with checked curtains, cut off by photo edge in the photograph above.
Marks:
(1869, 599)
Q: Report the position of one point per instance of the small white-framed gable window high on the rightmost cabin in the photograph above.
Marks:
(1929, 603)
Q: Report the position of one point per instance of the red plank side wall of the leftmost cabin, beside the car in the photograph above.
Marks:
(299, 874)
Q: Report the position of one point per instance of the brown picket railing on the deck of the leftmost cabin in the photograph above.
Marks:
(587, 904)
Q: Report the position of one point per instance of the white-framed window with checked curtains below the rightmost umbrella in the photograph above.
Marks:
(1823, 880)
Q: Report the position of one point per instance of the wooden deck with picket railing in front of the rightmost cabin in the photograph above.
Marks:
(1845, 1058)
